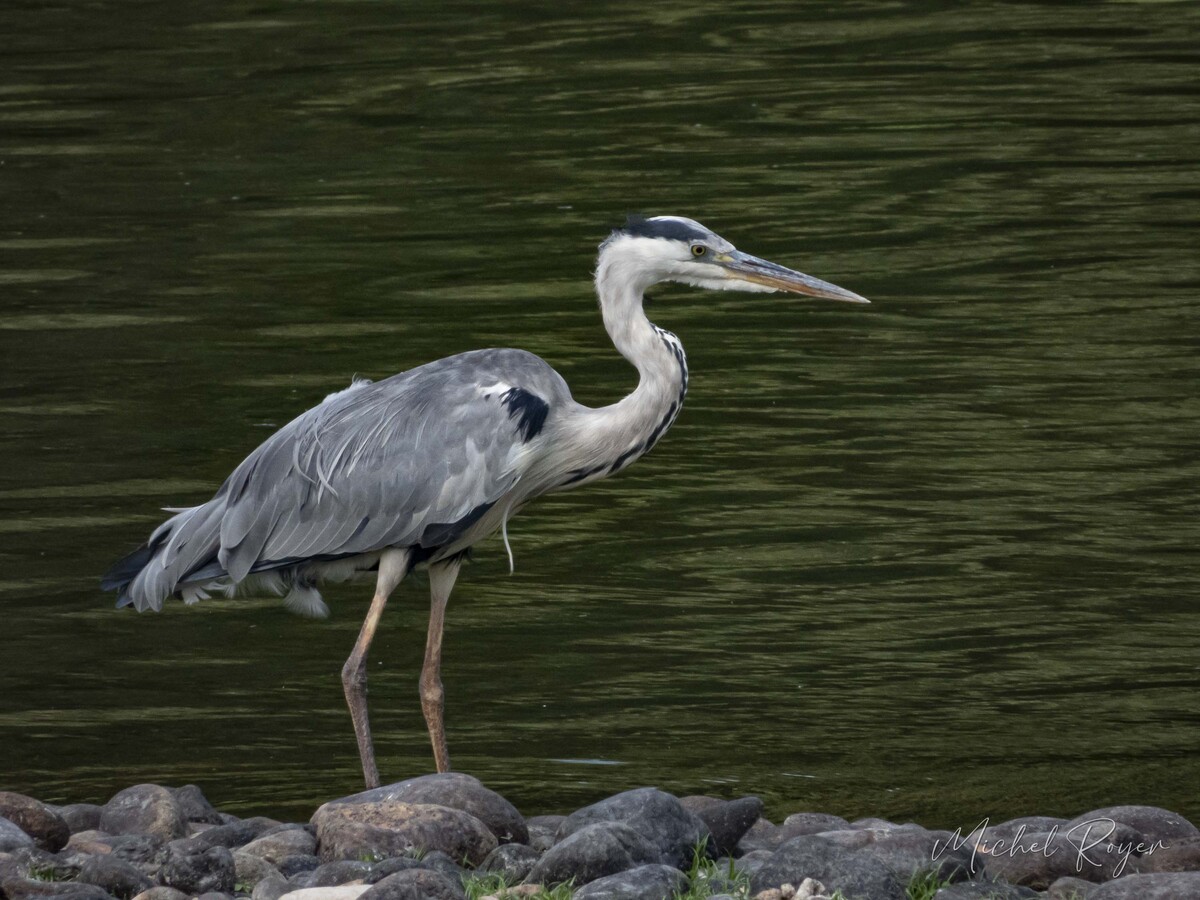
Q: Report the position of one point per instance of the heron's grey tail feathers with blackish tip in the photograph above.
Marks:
(178, 548)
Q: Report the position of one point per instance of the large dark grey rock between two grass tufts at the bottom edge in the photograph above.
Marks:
(809, 856)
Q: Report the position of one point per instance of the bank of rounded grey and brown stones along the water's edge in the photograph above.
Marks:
(421, 839)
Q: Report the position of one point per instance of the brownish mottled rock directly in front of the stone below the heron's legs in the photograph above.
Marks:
(392, 829)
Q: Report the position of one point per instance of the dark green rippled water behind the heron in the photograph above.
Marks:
(935, 559)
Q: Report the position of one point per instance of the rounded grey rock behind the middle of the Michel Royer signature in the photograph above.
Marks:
(1037, 861)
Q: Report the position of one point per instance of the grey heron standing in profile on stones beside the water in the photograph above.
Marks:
(417, 469)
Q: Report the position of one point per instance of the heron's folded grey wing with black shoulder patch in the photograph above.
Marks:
(410, 461)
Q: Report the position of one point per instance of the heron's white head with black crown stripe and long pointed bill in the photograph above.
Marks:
(676, 249)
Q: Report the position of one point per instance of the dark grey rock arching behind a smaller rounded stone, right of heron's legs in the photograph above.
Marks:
(656, 815)
